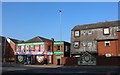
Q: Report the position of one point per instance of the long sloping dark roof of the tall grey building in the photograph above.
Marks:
(97, 25)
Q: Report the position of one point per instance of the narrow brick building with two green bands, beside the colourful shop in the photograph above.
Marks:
(61, 49)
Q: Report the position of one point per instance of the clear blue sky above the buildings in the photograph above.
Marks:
(25, 20)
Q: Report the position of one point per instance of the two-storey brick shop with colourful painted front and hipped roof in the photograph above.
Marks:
(37, 50)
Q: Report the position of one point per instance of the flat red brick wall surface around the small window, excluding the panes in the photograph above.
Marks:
(112, 49)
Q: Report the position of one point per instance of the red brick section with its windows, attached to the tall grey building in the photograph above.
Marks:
(109, 47)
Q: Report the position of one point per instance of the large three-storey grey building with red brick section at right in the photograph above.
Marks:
(87, 40)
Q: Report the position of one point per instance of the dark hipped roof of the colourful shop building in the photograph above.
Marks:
(37, 39)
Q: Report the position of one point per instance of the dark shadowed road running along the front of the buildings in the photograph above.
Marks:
(52, 69)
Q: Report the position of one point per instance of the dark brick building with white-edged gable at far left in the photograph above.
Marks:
(8, 47)
